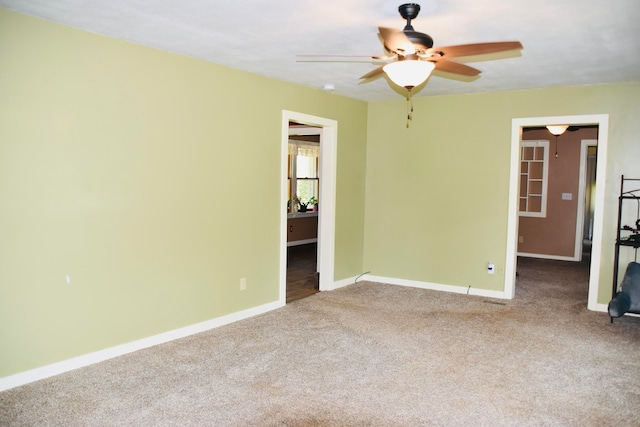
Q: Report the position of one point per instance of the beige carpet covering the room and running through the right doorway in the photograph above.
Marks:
(372, 355)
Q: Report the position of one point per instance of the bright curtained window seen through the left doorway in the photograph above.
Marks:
(303, 165)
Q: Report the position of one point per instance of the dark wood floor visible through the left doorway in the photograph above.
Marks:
(302, 280)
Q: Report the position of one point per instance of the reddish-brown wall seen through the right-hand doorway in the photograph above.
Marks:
(555, 234)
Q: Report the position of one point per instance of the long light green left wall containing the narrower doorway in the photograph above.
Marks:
(152, 180)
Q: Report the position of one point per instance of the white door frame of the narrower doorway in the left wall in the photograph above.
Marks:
(327, 198)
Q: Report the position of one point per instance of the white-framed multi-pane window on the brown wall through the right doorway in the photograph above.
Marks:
(534, 170)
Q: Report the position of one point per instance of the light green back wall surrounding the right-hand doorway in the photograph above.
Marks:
(437, 193)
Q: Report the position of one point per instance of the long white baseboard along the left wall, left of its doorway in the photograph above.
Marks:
(119, 350)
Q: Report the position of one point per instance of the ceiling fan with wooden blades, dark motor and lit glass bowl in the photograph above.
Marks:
(411, 57)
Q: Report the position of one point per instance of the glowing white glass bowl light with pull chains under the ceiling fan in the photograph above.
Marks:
(408, 72)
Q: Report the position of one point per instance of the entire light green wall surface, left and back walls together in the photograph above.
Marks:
(153, 181)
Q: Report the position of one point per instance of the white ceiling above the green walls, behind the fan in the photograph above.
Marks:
(566, 42)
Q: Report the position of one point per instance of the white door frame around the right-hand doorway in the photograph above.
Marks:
(602, 120)
